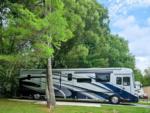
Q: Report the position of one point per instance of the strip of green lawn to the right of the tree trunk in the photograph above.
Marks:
(103, 109)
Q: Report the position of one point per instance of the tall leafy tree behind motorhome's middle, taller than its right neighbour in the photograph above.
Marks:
(88, 21)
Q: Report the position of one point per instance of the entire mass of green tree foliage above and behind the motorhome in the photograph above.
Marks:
(75, 34)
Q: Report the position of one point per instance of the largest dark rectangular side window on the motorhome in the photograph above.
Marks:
(102, 77)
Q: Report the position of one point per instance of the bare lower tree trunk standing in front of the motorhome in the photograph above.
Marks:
(50, 88)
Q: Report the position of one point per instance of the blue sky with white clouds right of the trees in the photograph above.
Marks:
(131, 20)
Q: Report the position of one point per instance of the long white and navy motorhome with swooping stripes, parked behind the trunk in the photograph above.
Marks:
(106, 84)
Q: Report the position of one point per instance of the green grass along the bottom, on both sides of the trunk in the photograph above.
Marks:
(7, 106)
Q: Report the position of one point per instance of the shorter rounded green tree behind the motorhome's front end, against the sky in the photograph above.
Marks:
(119, 55)
